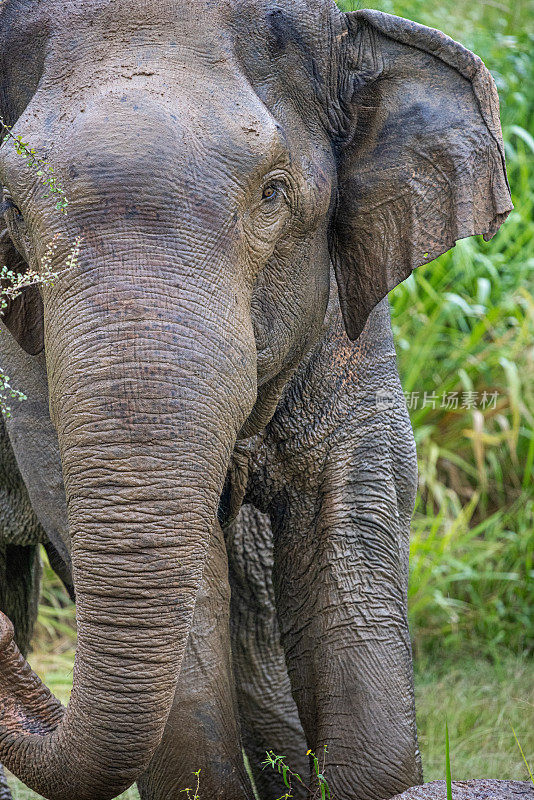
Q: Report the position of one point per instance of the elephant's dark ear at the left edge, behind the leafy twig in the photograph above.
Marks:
(23, 315)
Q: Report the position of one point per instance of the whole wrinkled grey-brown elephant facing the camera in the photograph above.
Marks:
(215, 447)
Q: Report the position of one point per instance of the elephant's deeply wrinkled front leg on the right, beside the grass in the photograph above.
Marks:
(340, 576)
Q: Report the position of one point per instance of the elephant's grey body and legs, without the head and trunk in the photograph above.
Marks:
(341, 436)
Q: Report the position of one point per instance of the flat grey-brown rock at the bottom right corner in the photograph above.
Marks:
(471, 790)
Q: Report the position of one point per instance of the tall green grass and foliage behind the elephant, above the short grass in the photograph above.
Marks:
(465, 322)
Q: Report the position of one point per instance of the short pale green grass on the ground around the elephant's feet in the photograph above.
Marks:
(480, 700)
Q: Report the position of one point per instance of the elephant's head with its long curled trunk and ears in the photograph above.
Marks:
(219, 156)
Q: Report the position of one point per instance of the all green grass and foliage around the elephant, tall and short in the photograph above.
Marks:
(464, 322)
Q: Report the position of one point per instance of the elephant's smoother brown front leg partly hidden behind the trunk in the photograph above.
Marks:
(202, 731)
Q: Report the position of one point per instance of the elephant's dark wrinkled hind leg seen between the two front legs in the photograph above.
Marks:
(268, 713)
